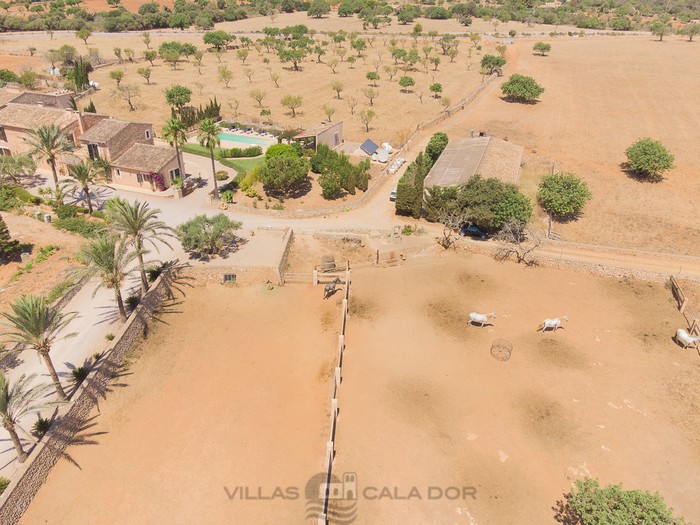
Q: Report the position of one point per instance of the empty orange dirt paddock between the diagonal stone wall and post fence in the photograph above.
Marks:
(209, 403)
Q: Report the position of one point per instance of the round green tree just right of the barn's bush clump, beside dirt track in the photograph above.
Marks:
(563, 195)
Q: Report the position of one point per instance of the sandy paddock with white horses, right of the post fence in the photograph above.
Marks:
(423, 404)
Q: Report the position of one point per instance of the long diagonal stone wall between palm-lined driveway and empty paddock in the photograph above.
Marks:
(70, 417)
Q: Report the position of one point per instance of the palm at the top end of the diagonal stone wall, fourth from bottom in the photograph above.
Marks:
(140, 224)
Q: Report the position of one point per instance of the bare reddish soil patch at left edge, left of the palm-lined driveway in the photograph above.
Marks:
(45, 275)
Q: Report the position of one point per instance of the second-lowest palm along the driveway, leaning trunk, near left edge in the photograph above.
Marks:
(36, 324)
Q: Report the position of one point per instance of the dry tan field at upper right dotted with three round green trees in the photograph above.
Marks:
(600, 97)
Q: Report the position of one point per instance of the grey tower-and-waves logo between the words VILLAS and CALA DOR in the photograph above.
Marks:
(341, 497)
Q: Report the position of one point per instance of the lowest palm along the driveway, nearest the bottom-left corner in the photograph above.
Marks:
(16, 401)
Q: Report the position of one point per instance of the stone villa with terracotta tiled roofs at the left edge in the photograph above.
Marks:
(137, 162)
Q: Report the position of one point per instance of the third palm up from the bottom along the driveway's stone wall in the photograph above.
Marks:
(108, 257)
